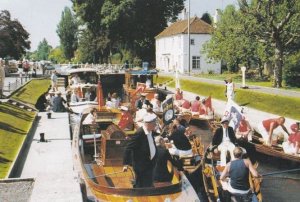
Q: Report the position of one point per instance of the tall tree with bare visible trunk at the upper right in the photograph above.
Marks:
(278, 25)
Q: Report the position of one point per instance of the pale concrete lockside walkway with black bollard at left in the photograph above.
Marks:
(51, 163)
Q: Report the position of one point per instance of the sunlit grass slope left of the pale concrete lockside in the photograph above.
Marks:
(16, 122)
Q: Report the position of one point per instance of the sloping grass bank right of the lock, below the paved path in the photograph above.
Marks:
(280, 105)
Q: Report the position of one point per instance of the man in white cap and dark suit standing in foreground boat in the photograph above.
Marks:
(140, 152)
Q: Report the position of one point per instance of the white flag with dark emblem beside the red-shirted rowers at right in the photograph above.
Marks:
(233, 112)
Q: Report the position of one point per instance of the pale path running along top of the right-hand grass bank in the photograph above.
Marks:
(269, 90)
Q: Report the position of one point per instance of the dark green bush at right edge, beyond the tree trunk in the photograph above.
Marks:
(292, 70)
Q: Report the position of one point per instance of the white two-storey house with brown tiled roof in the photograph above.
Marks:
(172, 48)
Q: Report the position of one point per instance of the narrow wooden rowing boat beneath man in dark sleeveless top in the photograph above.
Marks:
(211, 172)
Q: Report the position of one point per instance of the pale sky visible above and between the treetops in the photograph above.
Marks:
(40, 17)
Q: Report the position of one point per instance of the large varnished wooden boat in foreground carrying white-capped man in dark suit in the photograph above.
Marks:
(103, 174)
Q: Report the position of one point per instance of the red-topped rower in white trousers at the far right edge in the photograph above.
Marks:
(291, 146)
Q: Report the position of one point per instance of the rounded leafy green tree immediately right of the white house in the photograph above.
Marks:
(233, 42)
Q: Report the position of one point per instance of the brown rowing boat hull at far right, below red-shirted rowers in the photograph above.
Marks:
(275, 150)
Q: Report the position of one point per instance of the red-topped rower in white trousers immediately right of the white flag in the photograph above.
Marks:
(244, 132)
